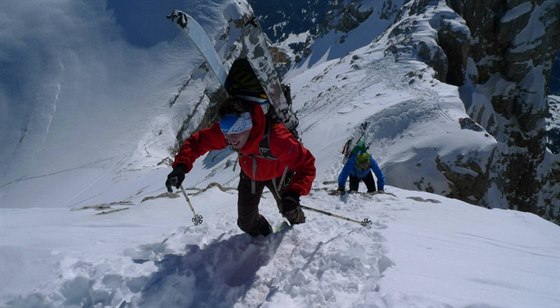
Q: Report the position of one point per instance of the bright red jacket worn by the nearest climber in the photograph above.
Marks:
(288, 151)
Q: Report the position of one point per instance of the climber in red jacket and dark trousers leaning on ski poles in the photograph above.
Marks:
(269, 155)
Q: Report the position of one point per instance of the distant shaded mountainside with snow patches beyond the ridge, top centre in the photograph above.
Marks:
(311, 32)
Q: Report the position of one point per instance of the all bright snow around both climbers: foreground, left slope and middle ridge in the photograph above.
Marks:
(98, 123)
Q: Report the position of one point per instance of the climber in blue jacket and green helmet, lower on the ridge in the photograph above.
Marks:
(358, 168)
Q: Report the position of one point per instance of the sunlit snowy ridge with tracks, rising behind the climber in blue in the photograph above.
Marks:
(407, 108)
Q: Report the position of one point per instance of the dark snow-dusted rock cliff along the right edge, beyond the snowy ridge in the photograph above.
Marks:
(512, 49)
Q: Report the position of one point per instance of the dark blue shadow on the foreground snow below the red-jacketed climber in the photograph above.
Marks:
(214, 276)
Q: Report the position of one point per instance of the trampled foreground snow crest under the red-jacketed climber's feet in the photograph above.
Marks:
(166, 261)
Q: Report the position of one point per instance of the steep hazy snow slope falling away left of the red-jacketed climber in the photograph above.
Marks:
(90, 105)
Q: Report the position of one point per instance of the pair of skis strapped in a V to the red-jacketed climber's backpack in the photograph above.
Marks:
(252, 76)
